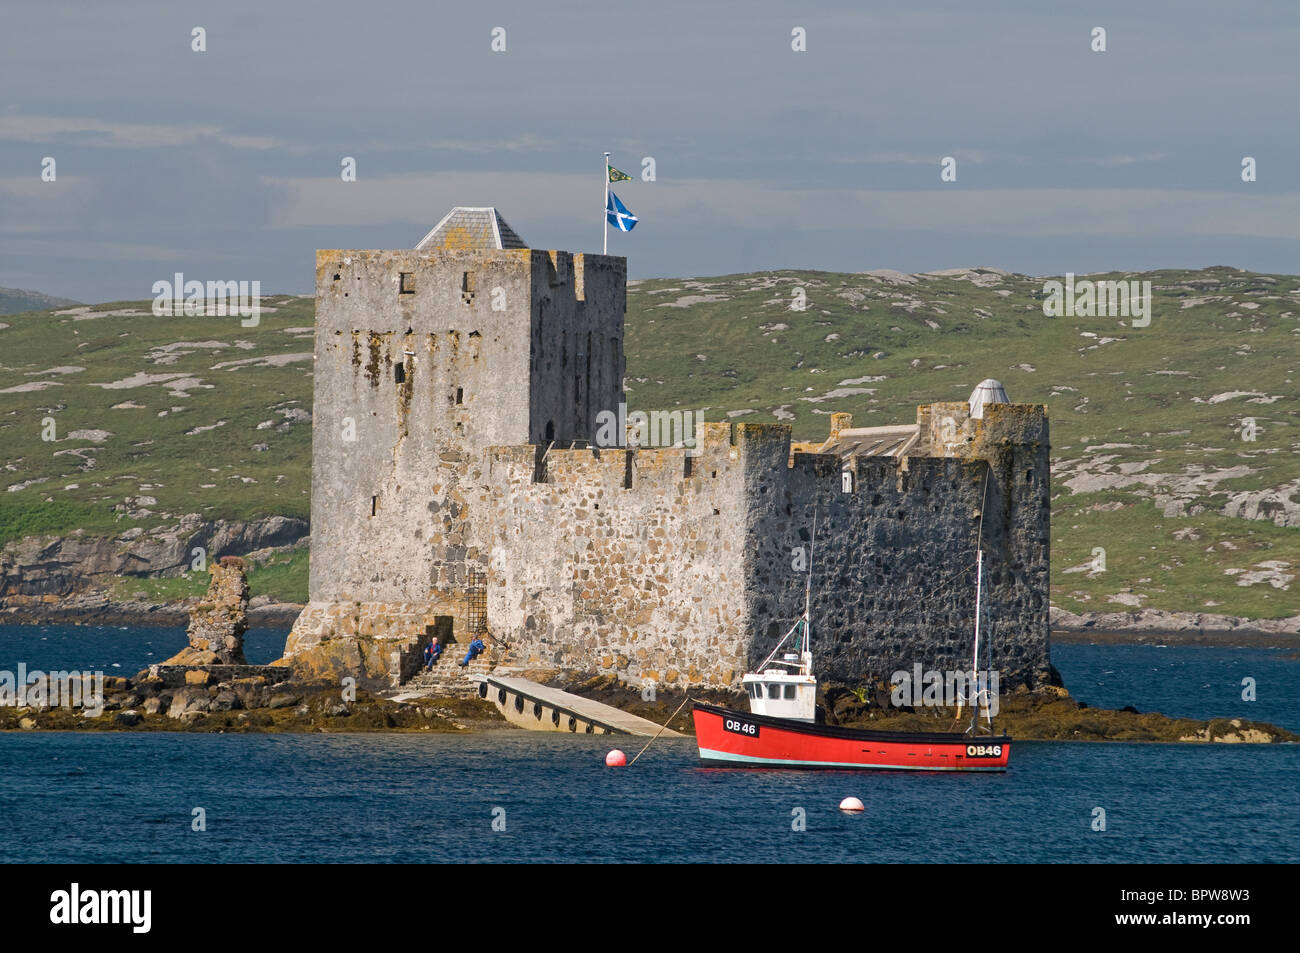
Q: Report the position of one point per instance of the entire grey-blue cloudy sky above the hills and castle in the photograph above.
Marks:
(227, 164)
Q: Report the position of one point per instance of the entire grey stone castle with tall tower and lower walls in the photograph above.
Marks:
(458, 490)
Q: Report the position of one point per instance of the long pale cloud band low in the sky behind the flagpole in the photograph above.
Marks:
(756, 206)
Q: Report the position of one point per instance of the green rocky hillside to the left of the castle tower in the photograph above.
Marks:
(154, 417)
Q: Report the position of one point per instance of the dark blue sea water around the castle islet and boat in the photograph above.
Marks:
(499, 796)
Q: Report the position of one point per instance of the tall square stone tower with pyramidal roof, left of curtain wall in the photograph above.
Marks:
(424, 359)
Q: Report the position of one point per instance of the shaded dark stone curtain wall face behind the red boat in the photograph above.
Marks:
(895, 562)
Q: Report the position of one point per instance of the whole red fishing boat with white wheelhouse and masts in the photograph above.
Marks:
(781, 729)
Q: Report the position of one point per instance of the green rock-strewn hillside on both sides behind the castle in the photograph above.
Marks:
(157, 418)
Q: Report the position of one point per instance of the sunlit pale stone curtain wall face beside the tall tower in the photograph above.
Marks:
(623, 562)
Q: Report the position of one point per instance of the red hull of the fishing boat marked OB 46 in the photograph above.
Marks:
(735, 739)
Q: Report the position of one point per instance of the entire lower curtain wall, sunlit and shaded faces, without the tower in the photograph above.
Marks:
(690, 579)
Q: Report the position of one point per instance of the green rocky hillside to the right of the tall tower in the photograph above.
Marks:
(1147, 423)
